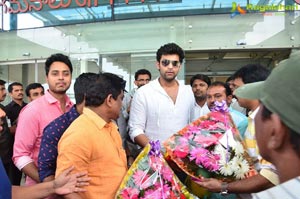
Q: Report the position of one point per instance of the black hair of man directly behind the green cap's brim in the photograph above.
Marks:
(252, 73)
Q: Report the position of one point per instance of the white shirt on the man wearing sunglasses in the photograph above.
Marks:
(154, 113)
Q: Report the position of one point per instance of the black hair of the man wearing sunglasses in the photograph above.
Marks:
(170, 49)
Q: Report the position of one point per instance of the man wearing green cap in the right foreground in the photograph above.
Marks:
(277, 124)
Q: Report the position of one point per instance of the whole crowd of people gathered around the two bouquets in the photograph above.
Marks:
(84, 150)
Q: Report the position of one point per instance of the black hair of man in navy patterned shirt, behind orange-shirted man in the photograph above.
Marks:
(82, 82)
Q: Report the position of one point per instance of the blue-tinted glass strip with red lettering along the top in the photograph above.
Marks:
(38, 13)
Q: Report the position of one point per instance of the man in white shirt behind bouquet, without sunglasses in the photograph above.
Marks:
(199, 84)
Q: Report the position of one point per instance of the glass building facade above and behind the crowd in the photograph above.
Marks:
(121, 37)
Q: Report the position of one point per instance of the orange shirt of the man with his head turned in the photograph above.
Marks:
(91, 144)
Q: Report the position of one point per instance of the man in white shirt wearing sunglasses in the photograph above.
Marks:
(162, 107)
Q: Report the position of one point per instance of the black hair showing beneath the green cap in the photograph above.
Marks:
(294, 135)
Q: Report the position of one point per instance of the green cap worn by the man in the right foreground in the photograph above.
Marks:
(280, 92)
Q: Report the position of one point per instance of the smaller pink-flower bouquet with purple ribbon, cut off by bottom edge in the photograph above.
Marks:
(150, 177)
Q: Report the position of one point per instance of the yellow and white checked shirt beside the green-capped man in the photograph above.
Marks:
(264, 167)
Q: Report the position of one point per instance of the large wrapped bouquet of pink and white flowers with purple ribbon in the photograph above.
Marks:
(210, 146)
